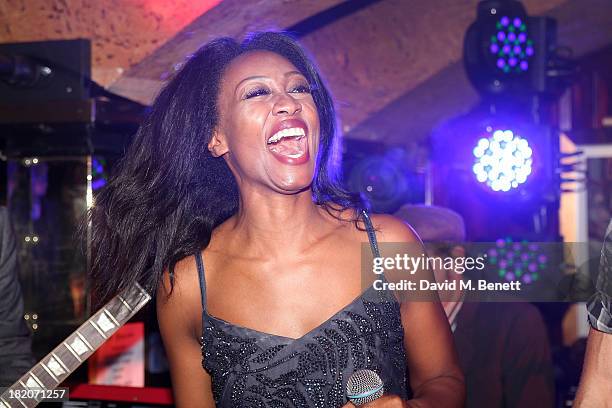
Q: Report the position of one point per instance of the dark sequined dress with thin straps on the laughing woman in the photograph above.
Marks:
(250, 368)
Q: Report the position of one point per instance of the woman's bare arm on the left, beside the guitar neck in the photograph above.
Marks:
(178, 316)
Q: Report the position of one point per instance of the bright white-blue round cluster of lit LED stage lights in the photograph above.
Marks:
(502, 161)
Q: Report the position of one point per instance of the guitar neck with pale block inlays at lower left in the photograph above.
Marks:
(52, 370)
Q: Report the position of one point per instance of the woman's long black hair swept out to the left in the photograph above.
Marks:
(168, 192)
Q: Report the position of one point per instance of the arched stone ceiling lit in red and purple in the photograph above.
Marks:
(393, 66)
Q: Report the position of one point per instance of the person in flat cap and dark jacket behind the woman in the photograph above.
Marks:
(503, 347)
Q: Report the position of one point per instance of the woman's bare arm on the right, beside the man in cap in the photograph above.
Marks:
(435, 376)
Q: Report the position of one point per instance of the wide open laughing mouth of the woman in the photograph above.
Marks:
(289, 145)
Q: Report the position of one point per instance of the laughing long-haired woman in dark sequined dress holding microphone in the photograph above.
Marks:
(228, 204)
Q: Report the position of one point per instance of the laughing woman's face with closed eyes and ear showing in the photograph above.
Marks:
(268, 129)
